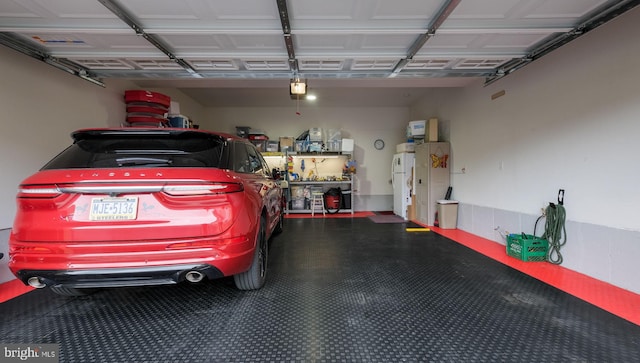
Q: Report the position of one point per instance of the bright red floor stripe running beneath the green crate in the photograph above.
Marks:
(613, 299)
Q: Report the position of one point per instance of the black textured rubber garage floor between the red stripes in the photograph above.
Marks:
(338, 290)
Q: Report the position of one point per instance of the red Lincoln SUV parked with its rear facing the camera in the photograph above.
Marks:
(134, 207)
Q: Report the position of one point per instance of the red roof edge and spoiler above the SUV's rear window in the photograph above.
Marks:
(83, 133)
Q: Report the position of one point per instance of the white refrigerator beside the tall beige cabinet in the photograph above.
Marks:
(402, 182)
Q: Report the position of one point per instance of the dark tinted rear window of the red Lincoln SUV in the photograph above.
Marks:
(131, 149)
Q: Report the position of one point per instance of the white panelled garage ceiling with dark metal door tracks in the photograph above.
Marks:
(244, 52)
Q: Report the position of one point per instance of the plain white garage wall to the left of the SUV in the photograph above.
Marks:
(40, 107)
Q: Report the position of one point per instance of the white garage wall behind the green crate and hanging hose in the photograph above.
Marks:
(569, 120)
